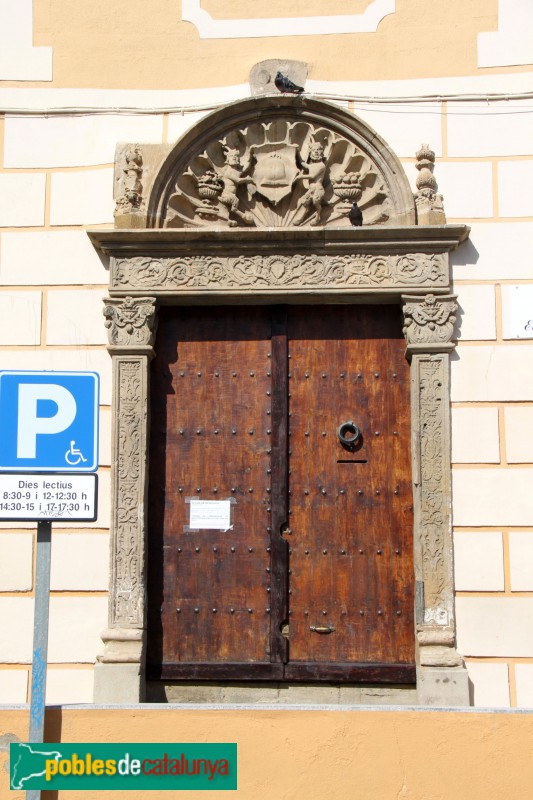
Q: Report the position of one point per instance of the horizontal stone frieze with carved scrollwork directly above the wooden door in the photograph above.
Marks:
(296, 271)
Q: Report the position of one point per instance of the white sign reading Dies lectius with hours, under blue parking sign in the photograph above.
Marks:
(57, 498)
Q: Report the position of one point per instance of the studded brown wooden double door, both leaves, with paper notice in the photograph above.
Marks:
(296, 421)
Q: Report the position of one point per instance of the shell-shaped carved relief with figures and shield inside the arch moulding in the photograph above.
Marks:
(277, 173)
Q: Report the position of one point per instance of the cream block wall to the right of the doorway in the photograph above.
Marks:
(492, 402)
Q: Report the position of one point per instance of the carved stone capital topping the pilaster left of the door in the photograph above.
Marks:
(130, 321)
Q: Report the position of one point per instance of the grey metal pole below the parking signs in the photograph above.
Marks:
(40, 639)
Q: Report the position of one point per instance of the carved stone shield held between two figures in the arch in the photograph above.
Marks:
(275, 169)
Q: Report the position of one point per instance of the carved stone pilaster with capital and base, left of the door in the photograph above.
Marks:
(131, 330)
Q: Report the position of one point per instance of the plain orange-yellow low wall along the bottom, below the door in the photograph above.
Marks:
(297, 755)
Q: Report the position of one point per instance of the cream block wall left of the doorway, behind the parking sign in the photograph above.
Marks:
(56, 179)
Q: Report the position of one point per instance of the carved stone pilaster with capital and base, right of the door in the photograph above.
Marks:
(428, 328)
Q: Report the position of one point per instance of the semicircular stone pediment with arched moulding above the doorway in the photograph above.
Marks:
(280, 161)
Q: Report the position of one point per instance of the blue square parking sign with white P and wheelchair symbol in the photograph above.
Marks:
(48, 421)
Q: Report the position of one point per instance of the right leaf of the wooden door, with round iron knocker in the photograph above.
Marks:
(350, 511)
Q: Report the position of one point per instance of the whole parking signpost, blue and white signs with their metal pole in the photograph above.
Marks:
(47, 466)
